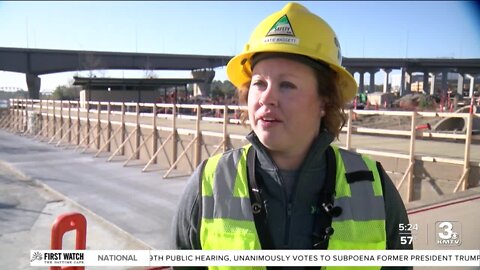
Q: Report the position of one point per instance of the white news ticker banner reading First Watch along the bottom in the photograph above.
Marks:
(255, 258)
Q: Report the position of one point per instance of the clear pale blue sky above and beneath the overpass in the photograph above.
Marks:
(424, 29)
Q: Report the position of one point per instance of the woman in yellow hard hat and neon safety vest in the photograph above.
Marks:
(289, 188)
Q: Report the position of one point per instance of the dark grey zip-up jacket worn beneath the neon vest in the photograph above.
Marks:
(290, 222)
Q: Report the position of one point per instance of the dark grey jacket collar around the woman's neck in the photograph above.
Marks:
(313, 160)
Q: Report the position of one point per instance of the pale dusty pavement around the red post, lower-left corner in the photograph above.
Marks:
(27, 212)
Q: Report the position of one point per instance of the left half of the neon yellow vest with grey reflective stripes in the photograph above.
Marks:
(227, 219)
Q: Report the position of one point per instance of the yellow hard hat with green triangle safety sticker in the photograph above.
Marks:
(294, 30)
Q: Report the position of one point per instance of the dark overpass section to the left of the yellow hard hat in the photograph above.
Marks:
(35, 62)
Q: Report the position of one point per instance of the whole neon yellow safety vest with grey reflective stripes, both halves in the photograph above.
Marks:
(227, 221)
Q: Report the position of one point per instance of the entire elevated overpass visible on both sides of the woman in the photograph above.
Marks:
(35, 62)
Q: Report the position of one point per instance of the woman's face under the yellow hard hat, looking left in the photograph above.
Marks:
(284, 107)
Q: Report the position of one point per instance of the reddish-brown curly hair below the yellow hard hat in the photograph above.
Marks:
(328, 89)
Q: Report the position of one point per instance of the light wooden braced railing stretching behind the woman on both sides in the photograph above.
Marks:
(177, 137)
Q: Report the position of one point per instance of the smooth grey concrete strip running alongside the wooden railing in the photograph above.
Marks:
(140, 203)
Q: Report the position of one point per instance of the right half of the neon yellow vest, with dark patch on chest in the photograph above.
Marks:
(362, 222)
